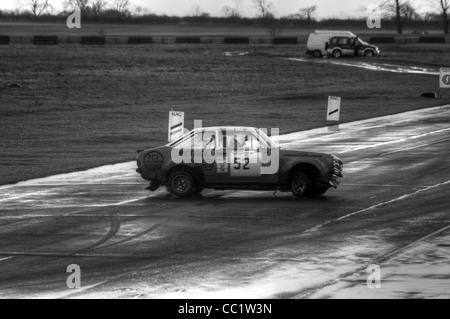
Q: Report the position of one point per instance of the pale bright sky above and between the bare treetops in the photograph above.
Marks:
(326, 8)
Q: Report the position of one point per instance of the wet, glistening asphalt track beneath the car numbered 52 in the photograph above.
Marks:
(130, 243)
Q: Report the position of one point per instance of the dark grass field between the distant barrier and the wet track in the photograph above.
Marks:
(84, 106)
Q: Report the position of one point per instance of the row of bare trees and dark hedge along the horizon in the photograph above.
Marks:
(397, 12)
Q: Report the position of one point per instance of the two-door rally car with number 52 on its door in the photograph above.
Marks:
(237, 158)
